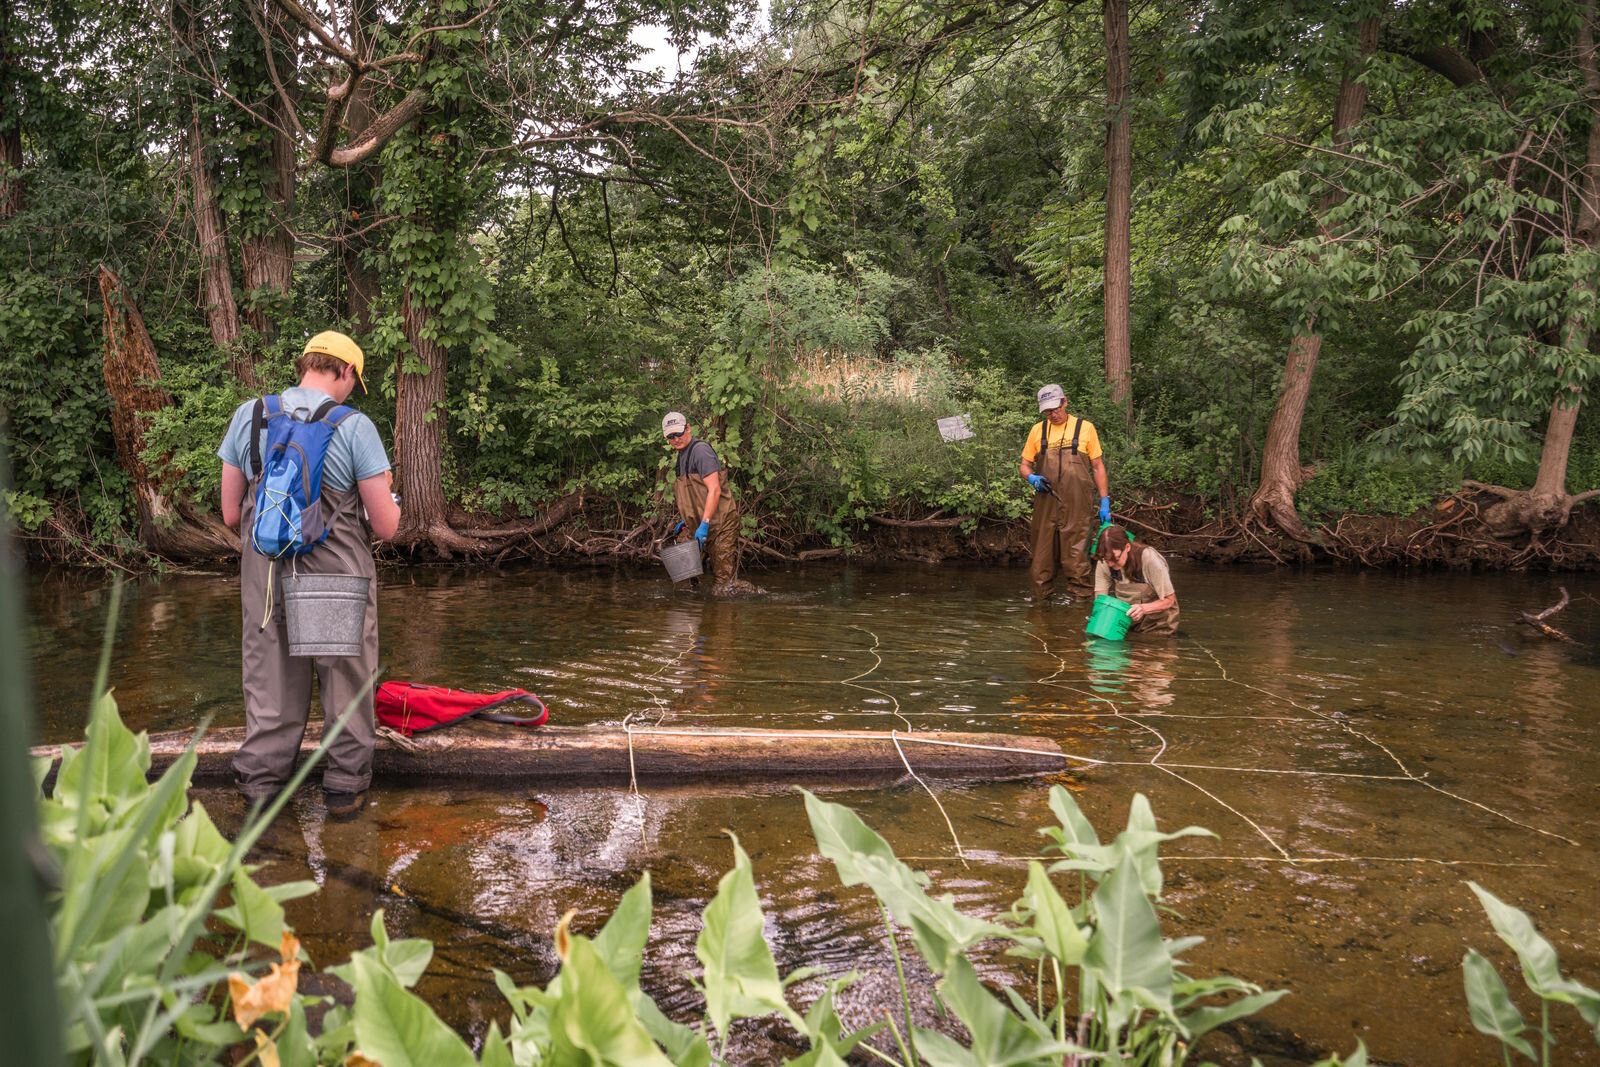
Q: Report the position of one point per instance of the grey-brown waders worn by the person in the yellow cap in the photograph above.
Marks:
(278, 685)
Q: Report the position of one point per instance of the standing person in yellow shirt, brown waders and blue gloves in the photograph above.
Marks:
(1062, 460)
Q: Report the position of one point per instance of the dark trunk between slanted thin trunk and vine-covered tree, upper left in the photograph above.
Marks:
(268, 249)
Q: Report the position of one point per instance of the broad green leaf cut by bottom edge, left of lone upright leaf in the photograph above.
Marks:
(593, 1023)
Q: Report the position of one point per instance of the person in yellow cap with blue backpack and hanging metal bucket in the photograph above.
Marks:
(278, 450)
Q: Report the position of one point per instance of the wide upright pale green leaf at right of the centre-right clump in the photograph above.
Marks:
(1127, 953)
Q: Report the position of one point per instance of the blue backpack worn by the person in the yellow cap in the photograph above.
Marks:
(289, 476)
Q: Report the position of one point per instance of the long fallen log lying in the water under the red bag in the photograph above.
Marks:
(604, 756)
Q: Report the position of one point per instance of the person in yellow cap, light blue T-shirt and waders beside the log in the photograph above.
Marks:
(356, 506)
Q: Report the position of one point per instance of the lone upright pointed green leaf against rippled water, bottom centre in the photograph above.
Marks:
(742, 978)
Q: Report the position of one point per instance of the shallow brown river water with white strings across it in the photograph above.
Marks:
(1362, 745)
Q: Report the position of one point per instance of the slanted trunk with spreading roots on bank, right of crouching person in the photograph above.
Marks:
(1281, 466)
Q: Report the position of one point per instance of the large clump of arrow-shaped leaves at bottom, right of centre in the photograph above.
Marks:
(1132, 1001)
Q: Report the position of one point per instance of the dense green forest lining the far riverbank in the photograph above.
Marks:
(1295, 258)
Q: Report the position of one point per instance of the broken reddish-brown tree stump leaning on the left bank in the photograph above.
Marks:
(132, 370)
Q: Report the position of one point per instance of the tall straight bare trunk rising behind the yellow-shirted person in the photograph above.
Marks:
(1119, 196)
